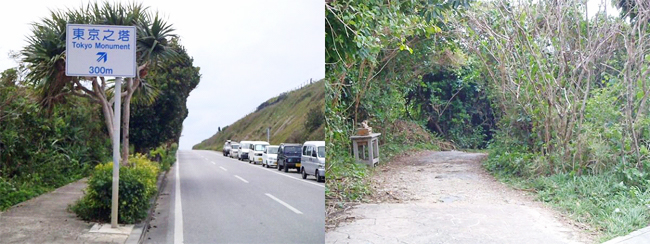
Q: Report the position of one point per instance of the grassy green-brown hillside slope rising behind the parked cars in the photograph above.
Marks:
(286, 114)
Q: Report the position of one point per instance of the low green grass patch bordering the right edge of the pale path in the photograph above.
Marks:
(604, 201)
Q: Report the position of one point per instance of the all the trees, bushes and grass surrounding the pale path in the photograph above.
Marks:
(555, 94)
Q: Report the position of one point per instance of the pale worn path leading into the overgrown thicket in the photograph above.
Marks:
(447, 197)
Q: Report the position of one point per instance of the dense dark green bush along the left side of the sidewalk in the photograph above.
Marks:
(41, 150)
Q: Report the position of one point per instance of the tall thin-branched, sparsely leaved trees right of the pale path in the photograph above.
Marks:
(549, 61)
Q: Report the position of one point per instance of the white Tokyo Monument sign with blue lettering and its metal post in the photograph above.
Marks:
(104, 50)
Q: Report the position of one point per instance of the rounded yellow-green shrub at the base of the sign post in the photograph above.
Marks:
(137, 186)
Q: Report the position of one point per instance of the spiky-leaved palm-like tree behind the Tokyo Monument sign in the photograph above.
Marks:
(45, 59)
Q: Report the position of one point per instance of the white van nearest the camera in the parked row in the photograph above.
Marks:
(312, 161)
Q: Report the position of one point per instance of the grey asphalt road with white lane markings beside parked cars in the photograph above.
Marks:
(224, 200)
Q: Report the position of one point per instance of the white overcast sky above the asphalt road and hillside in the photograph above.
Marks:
(248, 51)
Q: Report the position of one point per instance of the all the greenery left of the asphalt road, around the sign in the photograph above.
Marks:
(54, 130)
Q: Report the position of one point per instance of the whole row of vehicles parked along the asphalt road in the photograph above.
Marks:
(308, 158)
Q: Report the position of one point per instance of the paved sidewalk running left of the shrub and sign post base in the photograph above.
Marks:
(45, 219)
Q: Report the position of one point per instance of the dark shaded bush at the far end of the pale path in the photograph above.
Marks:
(454, 104)
